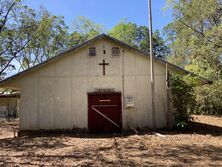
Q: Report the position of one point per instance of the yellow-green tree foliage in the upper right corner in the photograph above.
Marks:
(195, 34)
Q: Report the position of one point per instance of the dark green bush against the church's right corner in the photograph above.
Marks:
(183, 99)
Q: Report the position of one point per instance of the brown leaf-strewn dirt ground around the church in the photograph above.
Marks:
(199, 146)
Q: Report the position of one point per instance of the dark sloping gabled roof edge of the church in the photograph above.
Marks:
(104, 36)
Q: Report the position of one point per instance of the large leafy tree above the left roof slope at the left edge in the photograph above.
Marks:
(28, 37)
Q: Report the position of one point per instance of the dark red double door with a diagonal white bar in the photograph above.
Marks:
(104, 112)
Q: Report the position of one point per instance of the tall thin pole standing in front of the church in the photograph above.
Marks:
(152, 66)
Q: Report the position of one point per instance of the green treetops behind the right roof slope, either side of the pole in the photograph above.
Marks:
(138, 36)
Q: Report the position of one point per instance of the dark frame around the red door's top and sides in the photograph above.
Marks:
(105, 93)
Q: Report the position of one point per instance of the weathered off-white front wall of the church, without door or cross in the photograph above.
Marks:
(55, 96)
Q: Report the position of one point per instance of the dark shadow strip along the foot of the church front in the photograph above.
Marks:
(194, 128)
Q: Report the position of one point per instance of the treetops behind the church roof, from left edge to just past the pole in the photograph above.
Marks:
(29, 37)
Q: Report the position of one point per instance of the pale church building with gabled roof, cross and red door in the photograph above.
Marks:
(102, 85)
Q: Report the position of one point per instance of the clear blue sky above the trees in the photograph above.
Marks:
(106, 12)
